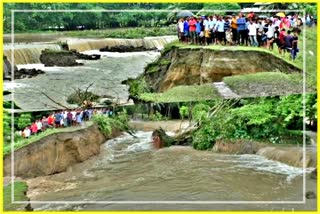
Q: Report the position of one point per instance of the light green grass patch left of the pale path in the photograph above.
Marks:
(183, 94)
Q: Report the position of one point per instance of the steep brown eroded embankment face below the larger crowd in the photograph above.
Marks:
(201, 65)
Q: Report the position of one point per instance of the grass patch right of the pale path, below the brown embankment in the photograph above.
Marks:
(265, 84)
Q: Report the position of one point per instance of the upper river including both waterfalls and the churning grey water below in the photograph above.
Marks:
(59, 82)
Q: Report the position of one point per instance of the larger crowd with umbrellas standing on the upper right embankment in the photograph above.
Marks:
(250, 30)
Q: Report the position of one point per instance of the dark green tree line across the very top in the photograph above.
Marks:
(38, 21)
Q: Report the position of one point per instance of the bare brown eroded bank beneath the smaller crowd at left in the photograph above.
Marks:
(56, 152)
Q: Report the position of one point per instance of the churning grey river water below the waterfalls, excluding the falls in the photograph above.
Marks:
(59, 82)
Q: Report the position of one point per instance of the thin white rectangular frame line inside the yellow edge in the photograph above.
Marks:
(157, 202)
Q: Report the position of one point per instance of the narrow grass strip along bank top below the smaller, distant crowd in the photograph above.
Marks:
(21, 142)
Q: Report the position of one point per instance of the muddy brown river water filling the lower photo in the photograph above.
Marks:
(130, 169)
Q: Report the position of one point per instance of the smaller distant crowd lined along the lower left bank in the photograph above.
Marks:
(60, 119)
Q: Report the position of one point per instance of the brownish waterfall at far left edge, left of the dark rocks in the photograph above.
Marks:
(28, 53)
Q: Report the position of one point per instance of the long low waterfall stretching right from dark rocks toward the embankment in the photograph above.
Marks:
(96, 44)
